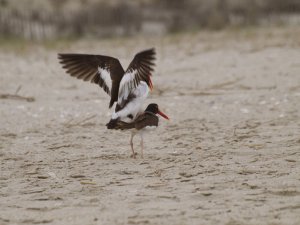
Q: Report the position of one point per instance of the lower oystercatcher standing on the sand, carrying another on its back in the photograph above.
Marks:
(143, 122)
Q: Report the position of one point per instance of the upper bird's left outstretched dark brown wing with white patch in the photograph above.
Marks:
(105, 71)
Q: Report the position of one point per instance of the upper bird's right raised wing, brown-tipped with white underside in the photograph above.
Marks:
(138, 70)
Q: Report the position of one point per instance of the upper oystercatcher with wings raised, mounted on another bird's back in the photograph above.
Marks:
(127, 88)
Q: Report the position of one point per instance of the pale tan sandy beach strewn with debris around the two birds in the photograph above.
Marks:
(229, 155)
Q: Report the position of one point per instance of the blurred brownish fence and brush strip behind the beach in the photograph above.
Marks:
(71, 19)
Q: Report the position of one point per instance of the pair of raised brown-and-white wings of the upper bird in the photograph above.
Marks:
(90, 68)
